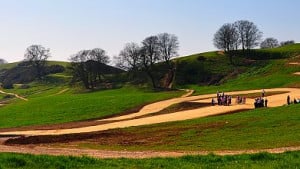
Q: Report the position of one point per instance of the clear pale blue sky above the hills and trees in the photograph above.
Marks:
(67, 26)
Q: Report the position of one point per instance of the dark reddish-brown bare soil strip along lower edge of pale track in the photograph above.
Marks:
(119, 137)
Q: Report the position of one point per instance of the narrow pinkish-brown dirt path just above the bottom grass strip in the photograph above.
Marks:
(38, 150)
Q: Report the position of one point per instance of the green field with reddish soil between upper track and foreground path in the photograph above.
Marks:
(256, 129)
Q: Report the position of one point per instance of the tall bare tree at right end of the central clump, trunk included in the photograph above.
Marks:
(168, 46)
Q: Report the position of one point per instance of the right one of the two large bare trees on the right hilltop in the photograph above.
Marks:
(249, 34)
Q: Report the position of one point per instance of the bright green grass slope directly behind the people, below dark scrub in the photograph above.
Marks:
(276, 74)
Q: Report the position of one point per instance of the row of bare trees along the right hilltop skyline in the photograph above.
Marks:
(243, 35)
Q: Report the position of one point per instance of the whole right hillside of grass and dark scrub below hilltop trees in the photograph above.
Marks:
(211, 71)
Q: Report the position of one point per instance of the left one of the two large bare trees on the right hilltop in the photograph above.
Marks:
(227, 39)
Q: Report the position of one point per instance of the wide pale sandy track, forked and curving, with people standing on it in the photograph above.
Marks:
(274, 101)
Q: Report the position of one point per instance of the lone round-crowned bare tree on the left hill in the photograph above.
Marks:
(37, 56)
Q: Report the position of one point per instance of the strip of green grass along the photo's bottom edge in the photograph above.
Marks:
(261, 160)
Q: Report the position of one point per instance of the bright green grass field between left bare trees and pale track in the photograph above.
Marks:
(67, 107)
